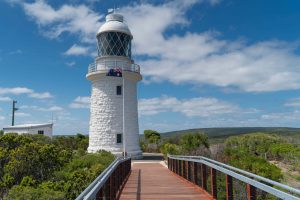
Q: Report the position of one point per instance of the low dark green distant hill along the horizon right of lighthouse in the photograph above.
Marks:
(215, 133)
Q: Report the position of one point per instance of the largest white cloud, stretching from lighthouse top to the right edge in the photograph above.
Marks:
(203, 58)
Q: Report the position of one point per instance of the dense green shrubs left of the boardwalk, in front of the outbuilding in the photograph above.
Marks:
(38, 167)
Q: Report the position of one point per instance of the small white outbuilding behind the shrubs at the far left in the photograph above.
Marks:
(42, 129)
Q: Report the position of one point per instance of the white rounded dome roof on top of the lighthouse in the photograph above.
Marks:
(114, 23)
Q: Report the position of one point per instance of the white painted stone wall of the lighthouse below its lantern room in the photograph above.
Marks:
(106, 117)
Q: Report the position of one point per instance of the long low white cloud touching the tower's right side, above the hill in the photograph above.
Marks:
(202, 107)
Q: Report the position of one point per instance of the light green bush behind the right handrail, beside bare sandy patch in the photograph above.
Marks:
(249, 151)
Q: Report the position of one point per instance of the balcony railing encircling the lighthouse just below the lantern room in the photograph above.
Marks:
(107, 65)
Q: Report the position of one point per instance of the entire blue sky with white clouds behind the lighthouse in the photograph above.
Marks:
(206, 63)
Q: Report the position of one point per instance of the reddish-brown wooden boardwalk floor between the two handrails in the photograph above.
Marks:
(154, 181)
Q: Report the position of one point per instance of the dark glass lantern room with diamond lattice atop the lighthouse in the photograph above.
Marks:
(114, 44)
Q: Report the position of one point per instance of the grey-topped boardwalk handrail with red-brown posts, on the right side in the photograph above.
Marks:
(181, 166)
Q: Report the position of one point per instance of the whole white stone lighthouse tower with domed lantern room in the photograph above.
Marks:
(114, 76)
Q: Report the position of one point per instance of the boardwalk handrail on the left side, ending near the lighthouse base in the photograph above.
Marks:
(110, 182)
